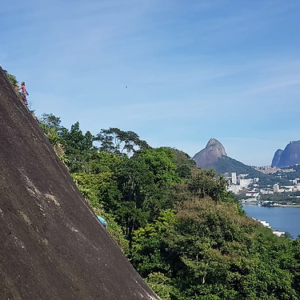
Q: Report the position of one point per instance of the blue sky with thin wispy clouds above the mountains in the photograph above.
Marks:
(175, 72)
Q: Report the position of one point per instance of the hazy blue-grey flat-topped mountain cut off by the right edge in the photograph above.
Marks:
(287, 157)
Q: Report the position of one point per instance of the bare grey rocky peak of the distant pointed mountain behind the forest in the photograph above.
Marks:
(210, 154)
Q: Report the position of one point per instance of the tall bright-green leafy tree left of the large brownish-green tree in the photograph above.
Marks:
(145, 181)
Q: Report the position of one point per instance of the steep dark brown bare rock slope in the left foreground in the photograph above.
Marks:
(52, 244)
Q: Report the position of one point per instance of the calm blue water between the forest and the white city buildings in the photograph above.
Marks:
(285, 219)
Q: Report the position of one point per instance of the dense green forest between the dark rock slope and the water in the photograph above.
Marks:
(183, 232)
